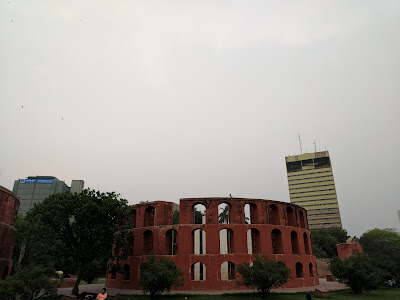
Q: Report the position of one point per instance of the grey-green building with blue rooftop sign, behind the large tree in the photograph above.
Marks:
(35, 189)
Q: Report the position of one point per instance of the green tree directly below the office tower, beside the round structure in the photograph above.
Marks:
(324, 241)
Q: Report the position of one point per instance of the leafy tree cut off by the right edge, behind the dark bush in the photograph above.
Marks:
(383, 247)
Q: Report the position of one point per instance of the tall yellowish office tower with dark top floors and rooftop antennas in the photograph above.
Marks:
(311, 186)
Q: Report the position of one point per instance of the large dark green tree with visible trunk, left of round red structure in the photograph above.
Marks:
(87, 225)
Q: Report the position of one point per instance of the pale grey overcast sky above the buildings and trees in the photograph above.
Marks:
(160, 100)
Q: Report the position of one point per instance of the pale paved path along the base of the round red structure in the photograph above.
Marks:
(96, 288)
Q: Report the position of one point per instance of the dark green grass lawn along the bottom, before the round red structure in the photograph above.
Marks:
(389, 294)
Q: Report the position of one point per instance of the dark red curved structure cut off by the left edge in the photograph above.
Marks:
(9, 205)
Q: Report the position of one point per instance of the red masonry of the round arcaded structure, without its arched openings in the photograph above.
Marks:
(212, 260)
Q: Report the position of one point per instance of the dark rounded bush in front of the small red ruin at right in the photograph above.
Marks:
(357, 272)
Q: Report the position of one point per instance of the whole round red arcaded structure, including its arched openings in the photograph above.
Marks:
(208, 252)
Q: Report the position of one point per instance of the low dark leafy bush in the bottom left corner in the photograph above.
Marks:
(27, 283)
